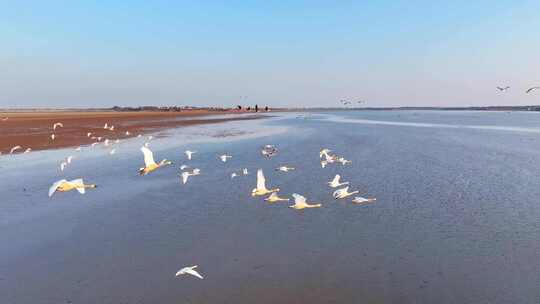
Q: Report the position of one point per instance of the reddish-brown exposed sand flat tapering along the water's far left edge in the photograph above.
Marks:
(33, 129)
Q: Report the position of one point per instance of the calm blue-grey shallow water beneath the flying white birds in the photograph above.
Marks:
(456, 218)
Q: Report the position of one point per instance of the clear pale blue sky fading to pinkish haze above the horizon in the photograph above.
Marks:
(277, 53)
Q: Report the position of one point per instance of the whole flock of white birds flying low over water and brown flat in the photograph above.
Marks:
(150, 165)
